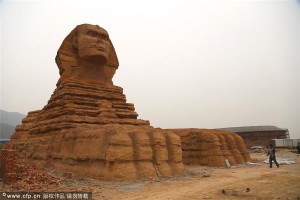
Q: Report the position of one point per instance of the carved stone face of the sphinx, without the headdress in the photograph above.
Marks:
(93, 44)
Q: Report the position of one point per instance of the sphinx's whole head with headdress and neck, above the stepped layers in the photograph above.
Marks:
(87, 53)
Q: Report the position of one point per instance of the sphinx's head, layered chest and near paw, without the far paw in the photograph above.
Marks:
(87, 127)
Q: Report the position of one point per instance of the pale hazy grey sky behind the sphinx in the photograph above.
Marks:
(184, 64)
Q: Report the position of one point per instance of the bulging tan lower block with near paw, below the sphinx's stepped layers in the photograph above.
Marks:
(107, 152)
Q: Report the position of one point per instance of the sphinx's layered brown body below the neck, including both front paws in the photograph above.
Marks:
(89, 129)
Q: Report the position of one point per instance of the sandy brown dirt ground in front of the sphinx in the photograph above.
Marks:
(254, 180)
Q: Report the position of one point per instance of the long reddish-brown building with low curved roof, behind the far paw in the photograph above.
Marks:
(259, 135)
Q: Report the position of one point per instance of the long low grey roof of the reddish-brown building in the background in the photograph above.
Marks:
(243, 129)
